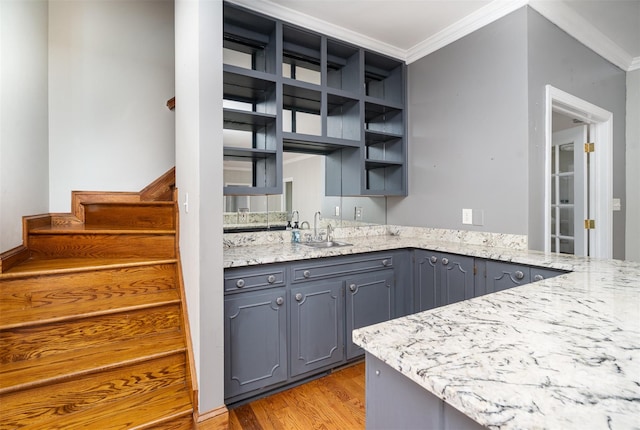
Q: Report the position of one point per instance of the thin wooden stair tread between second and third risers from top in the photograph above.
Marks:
(40, 267)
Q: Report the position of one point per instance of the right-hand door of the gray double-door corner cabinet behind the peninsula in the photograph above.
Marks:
(457, 280)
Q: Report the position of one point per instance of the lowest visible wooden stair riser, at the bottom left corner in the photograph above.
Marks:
(122, 398)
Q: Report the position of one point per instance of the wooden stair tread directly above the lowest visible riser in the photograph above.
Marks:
(48, 369)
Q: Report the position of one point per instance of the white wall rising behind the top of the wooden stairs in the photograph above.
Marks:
(111, 71)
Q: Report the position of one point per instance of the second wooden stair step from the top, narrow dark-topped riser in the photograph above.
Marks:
(80, 241)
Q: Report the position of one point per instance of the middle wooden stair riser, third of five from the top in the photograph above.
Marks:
(29, 301)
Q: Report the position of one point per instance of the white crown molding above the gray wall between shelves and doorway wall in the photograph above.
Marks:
(472, 22)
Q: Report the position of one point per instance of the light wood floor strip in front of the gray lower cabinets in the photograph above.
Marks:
(333, 402)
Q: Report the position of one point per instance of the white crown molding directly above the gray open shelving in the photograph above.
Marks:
(307, 21)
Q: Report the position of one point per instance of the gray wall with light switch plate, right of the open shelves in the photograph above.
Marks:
(468, 132)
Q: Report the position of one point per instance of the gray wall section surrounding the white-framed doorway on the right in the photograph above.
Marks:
(557, 59)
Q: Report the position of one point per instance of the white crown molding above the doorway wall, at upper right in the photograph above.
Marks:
(576, 26)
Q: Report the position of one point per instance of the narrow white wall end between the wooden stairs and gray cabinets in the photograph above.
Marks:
(198, 68)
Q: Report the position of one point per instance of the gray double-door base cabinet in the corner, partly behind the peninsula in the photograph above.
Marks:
(442, 279)
